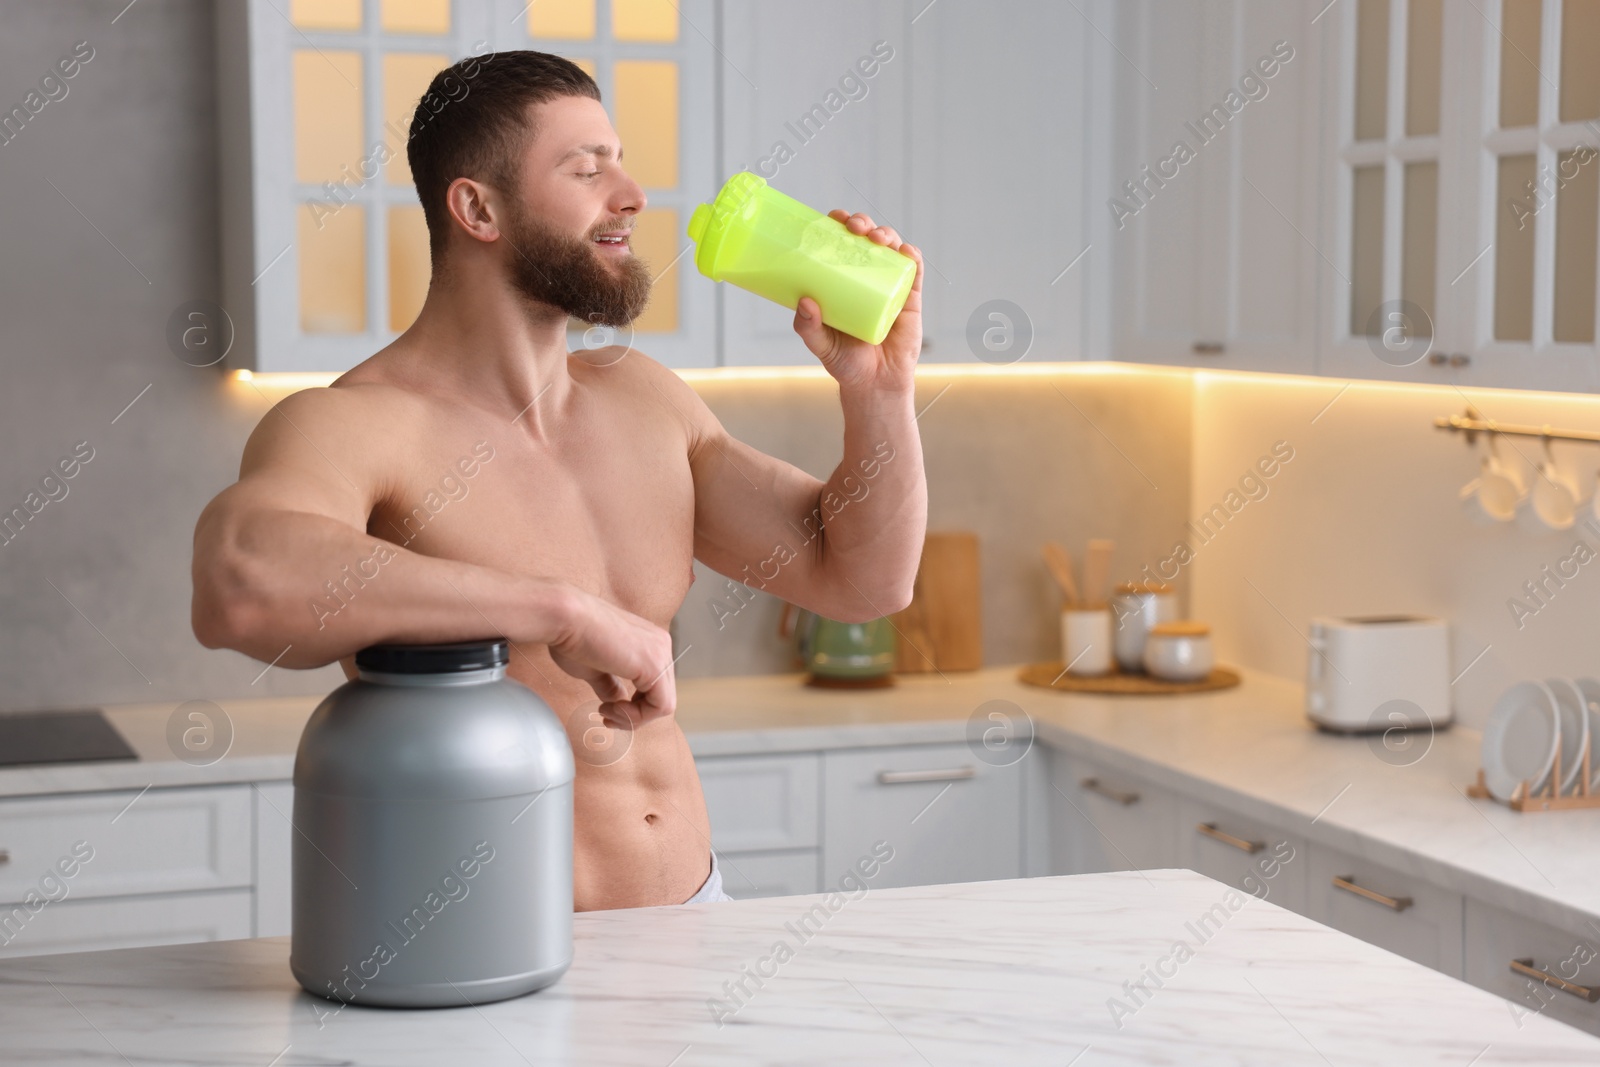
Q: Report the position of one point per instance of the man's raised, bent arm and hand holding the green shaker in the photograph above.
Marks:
(846, 548)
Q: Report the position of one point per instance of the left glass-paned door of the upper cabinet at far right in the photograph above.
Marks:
(1399, 191)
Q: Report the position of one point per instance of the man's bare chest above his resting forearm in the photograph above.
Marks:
(612, 514)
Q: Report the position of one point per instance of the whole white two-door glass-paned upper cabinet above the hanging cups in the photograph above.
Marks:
(1462, 214)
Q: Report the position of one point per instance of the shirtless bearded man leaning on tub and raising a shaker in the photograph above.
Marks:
(606, 474)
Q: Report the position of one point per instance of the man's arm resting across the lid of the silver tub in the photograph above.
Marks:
(297, 519)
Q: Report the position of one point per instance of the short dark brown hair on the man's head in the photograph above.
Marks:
(476, 118)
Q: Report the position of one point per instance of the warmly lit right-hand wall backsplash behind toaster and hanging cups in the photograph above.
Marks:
(1364, 518)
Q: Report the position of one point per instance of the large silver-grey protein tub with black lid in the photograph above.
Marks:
(433, 860)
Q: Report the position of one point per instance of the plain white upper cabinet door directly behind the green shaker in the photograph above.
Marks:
(801, 113)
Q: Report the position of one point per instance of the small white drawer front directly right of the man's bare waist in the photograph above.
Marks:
(761, 802)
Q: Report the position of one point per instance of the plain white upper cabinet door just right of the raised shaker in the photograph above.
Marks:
(998, 180)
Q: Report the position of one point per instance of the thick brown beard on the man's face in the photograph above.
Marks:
(567, 273)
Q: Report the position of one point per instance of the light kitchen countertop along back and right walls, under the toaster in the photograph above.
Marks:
(1249, 749)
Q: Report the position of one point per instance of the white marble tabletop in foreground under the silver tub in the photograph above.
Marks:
(983, 973)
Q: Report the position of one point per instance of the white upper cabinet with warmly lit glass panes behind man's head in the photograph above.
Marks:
(326, 249)
